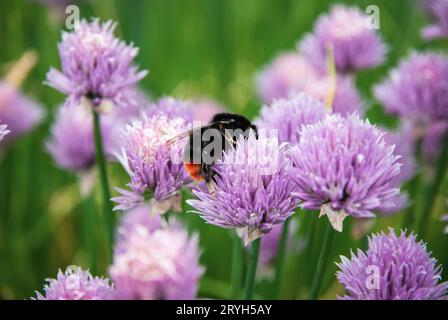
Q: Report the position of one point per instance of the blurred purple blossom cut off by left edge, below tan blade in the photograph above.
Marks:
(18, 112)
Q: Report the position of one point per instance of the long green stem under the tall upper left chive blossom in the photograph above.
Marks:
(101, 162)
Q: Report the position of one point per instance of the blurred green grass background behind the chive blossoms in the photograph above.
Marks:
(191, 48)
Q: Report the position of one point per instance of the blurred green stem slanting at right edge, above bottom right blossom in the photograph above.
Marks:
(433, 189)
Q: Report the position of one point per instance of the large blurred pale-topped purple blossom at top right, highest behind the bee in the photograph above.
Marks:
(356, 45)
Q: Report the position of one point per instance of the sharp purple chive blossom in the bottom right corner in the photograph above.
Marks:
(393, 268)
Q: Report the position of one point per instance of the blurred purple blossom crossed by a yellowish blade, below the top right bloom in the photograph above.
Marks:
(346, 98)
